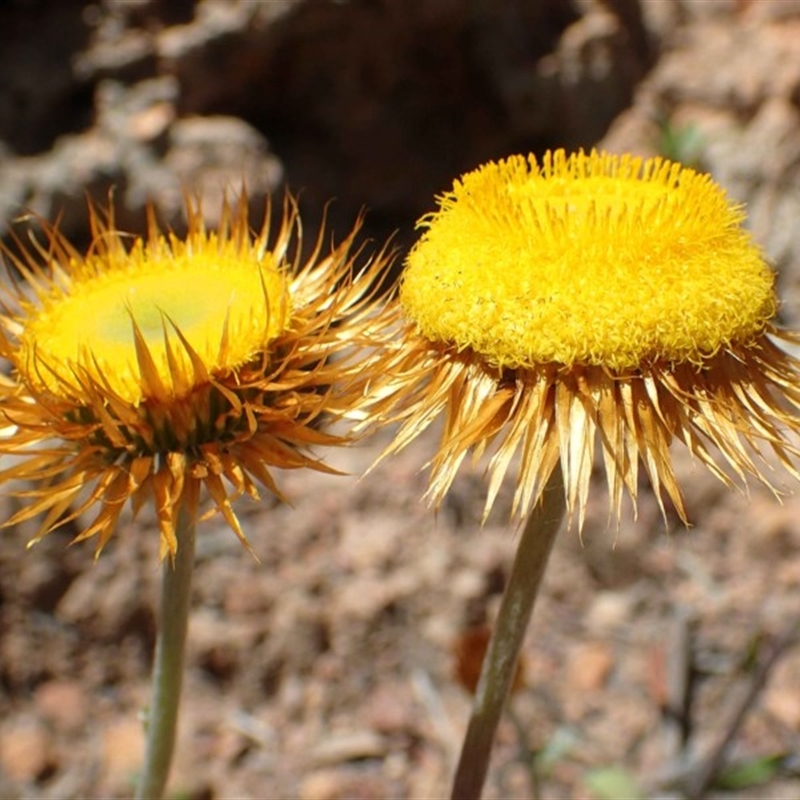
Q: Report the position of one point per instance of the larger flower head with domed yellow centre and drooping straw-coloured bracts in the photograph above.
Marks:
(592, 301)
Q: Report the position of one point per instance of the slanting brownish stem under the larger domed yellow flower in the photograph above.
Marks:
(500, 661)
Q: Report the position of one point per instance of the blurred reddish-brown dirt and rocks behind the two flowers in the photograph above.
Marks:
(324, 670)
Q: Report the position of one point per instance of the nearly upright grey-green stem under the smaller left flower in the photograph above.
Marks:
(162, 716)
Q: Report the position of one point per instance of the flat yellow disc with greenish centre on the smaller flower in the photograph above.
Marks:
(216, 298)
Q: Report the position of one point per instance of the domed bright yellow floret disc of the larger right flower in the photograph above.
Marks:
(587, 259)
